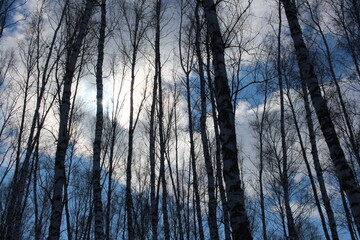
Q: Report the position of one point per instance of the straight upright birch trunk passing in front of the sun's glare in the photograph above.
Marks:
(98, 209)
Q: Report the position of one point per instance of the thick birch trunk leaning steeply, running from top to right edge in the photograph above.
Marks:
(343, 170)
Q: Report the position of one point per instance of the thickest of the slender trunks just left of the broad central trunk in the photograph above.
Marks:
(212, 204)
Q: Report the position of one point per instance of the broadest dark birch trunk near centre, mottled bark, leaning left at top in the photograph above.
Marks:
(235, 194)
